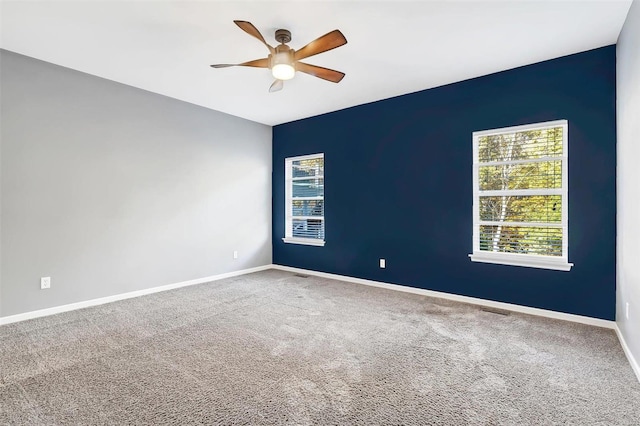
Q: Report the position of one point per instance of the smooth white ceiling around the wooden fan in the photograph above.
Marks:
(393, 47)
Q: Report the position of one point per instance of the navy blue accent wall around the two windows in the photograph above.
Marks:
(398, 184)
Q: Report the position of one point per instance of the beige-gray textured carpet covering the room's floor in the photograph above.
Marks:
(275, 348)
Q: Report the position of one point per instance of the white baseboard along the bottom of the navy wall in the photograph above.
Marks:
(464, 299)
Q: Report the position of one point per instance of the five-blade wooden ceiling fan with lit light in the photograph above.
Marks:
(284, 61)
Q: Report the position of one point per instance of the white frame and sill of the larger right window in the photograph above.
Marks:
(560, 263)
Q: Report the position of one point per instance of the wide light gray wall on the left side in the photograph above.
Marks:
(110, 189)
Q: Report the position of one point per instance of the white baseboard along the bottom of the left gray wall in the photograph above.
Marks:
(102, 300)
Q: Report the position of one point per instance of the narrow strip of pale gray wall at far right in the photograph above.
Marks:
(628, 98)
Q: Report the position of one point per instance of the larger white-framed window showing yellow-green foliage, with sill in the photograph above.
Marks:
(520, 196)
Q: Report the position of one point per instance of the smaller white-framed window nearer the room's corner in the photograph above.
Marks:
(304, 195)
